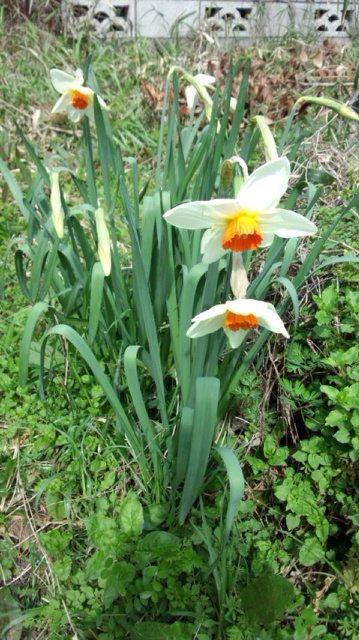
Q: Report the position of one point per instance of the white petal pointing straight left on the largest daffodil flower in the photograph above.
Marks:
(201, 214)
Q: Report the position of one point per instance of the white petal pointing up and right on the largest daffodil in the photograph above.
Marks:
(265, 186)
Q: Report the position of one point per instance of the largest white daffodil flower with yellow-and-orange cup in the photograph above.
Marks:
(249, 220)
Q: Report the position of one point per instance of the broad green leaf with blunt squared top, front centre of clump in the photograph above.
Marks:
(204, 424)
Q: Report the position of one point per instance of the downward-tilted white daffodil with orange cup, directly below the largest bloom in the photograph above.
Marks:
(236, 317)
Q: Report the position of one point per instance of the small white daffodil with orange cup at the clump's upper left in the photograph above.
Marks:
(76, 100)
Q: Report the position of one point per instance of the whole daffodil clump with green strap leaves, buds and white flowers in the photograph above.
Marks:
(164, 326)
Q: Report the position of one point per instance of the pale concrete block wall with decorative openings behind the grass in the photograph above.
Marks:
(240, 19)
